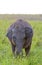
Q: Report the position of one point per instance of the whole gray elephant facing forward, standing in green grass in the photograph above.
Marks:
(20, 35)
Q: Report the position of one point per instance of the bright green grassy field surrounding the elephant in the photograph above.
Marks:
(6, 55)
